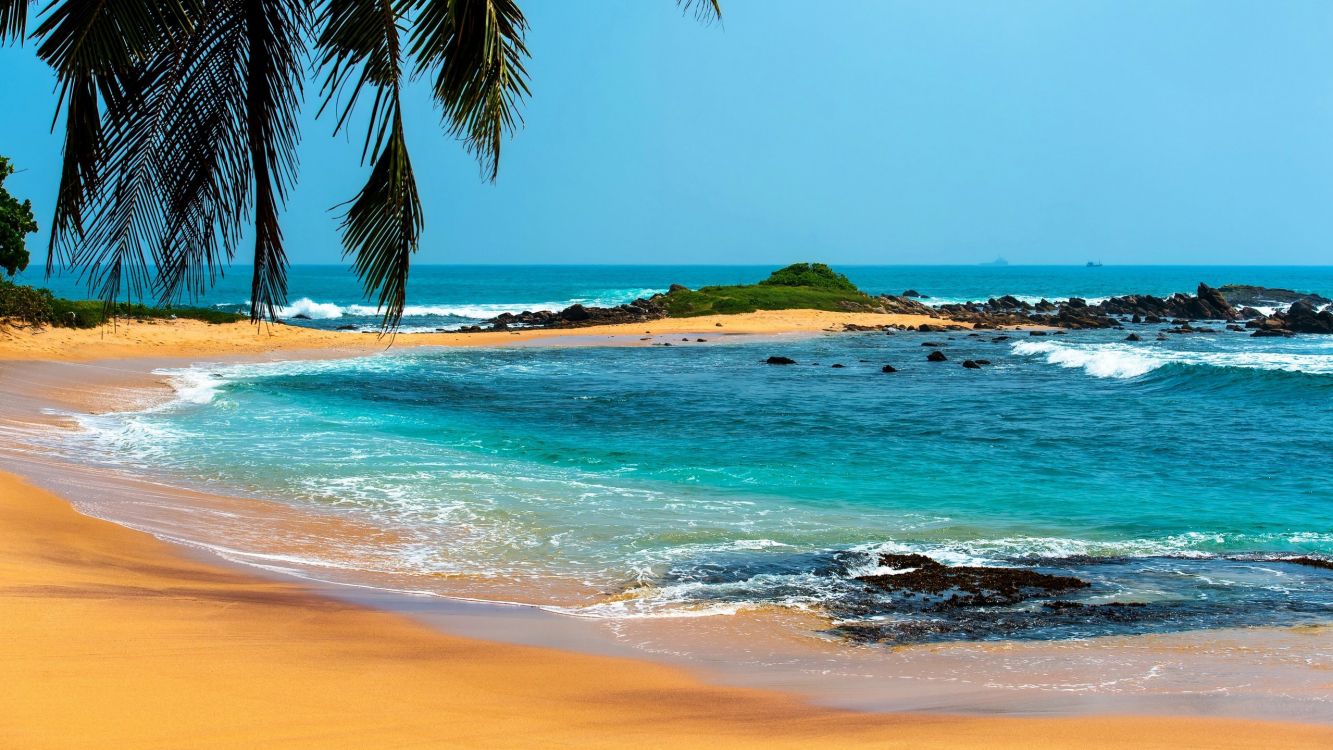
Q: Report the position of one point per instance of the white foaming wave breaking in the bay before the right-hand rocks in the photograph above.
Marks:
(1126, 362)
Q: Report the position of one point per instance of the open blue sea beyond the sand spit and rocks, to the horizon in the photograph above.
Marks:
(443, 296)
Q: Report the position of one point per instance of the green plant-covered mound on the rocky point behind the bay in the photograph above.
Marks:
(806, 287)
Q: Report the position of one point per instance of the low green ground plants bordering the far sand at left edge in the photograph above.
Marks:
(39, 307)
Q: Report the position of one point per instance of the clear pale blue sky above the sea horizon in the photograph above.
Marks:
(859, 133)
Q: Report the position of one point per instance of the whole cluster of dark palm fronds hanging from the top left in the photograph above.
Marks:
(181, 127)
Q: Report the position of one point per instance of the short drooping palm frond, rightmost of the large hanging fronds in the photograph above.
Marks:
(475, 53)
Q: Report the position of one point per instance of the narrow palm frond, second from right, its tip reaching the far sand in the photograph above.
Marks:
(361, 47)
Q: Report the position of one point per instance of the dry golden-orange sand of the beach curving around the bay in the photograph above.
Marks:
(113, 639)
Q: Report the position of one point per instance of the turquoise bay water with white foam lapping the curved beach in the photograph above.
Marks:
(651, 482)
